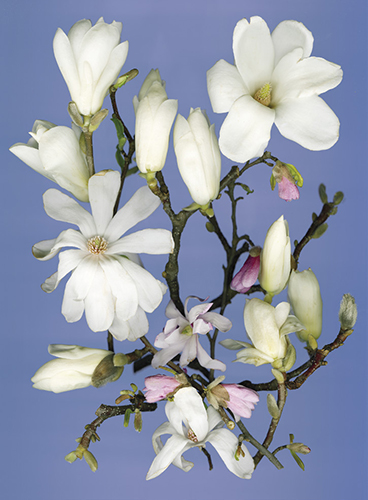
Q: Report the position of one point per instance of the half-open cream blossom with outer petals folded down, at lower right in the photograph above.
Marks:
(267, 327)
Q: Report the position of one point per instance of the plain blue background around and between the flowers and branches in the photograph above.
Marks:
(329, 413)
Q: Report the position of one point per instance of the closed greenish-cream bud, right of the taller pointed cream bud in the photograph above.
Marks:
(305, 298)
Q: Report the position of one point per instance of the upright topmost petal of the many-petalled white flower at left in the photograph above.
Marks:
(103, 189)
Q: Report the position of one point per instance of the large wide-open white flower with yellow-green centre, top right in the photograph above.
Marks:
(273, 81)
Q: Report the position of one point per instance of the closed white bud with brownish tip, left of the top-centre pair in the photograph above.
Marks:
(155, 114)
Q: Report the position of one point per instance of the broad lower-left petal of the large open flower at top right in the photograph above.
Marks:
(246, 130)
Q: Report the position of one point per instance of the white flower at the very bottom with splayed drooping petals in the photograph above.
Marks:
(190, 425)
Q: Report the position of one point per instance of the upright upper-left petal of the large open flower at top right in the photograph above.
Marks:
(253, 52)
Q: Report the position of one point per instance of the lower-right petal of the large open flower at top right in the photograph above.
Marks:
(309, 122)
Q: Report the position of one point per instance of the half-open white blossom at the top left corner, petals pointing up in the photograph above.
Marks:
(90, 59)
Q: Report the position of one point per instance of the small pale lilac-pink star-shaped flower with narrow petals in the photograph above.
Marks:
(181, 335)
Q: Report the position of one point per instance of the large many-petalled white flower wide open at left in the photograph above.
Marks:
(106, 283)
